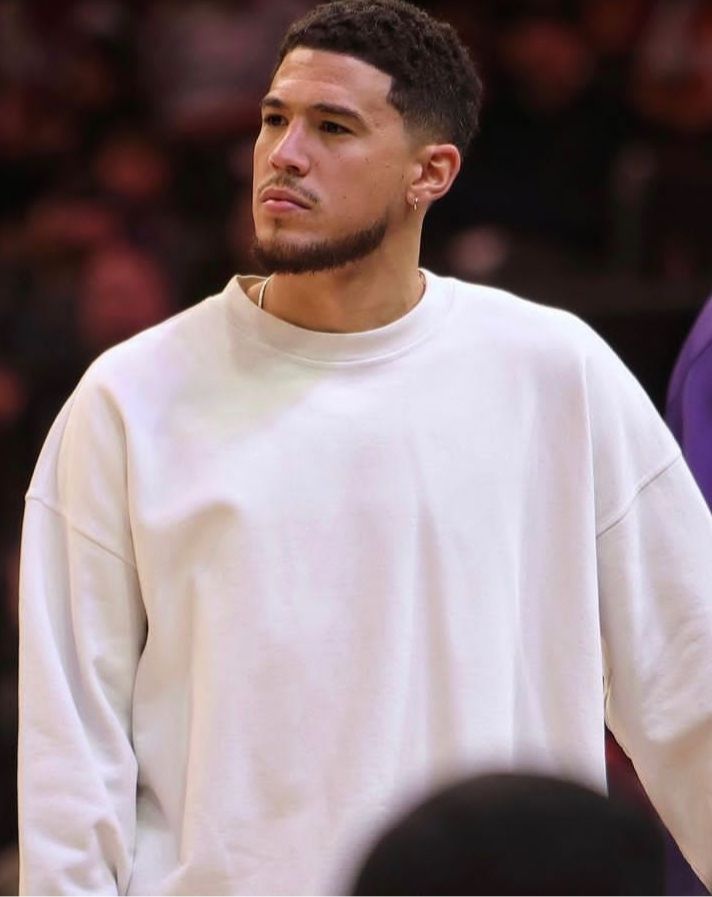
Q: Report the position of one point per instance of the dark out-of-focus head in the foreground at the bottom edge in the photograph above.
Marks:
(516, 834)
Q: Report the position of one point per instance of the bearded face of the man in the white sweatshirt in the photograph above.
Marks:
(330, 164)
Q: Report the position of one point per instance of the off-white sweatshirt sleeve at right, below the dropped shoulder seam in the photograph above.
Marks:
(655, 571)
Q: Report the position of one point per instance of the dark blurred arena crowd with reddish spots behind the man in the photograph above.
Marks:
(125, 166)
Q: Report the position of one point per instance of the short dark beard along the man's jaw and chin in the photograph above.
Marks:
(280, 257)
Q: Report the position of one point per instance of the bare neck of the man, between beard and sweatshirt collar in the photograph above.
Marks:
(361, 296)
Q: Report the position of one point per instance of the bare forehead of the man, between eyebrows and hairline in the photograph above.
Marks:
(317, 76)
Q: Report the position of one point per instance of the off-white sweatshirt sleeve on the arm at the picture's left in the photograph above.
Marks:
(82, 630)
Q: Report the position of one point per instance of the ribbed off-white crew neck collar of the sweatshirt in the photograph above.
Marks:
(317, 346)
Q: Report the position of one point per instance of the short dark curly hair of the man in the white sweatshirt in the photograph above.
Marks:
(435, 87)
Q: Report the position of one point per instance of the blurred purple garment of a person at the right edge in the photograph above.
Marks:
(689, 400)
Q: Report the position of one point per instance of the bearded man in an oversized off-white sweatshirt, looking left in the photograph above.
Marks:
(330, 538)
